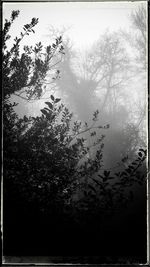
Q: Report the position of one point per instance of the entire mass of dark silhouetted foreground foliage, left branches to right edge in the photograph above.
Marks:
(50, 178)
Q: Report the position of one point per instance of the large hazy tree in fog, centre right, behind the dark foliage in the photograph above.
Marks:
(100, 78)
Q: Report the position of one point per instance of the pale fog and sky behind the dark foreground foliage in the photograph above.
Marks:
(103, 69)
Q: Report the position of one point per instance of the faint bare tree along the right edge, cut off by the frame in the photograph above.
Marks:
(136, 40)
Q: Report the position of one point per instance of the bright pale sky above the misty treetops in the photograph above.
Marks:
(87, 20)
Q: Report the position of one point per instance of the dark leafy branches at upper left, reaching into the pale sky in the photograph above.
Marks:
(25, 75)
